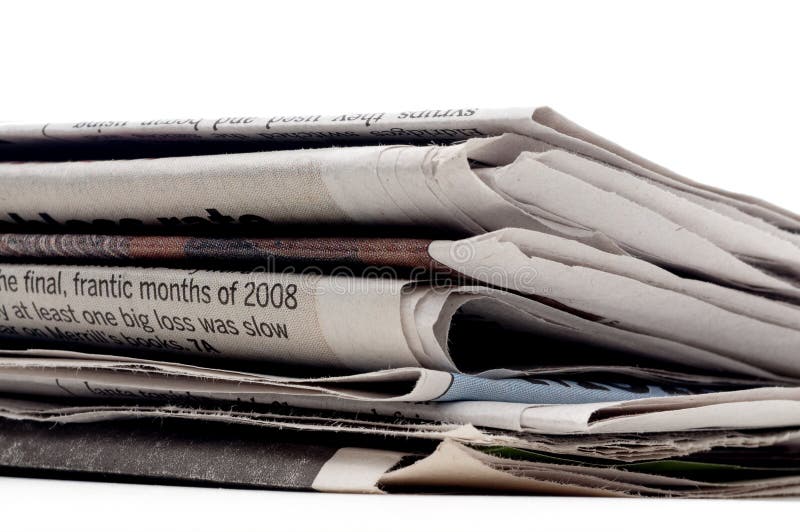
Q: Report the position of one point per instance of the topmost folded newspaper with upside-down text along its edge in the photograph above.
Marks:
(419, 126)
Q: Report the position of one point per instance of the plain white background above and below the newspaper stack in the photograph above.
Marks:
(707, 89)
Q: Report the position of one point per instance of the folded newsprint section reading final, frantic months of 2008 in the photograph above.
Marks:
(347, 322)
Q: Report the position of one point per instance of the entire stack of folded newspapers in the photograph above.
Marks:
(458, 300)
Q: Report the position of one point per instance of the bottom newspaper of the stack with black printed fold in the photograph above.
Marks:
(276, 460)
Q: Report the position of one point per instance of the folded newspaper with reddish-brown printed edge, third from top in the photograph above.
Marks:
(411, 258)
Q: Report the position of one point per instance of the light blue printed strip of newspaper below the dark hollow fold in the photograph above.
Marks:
(545, 391)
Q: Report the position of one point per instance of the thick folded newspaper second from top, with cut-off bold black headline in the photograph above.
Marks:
(432, 186)
